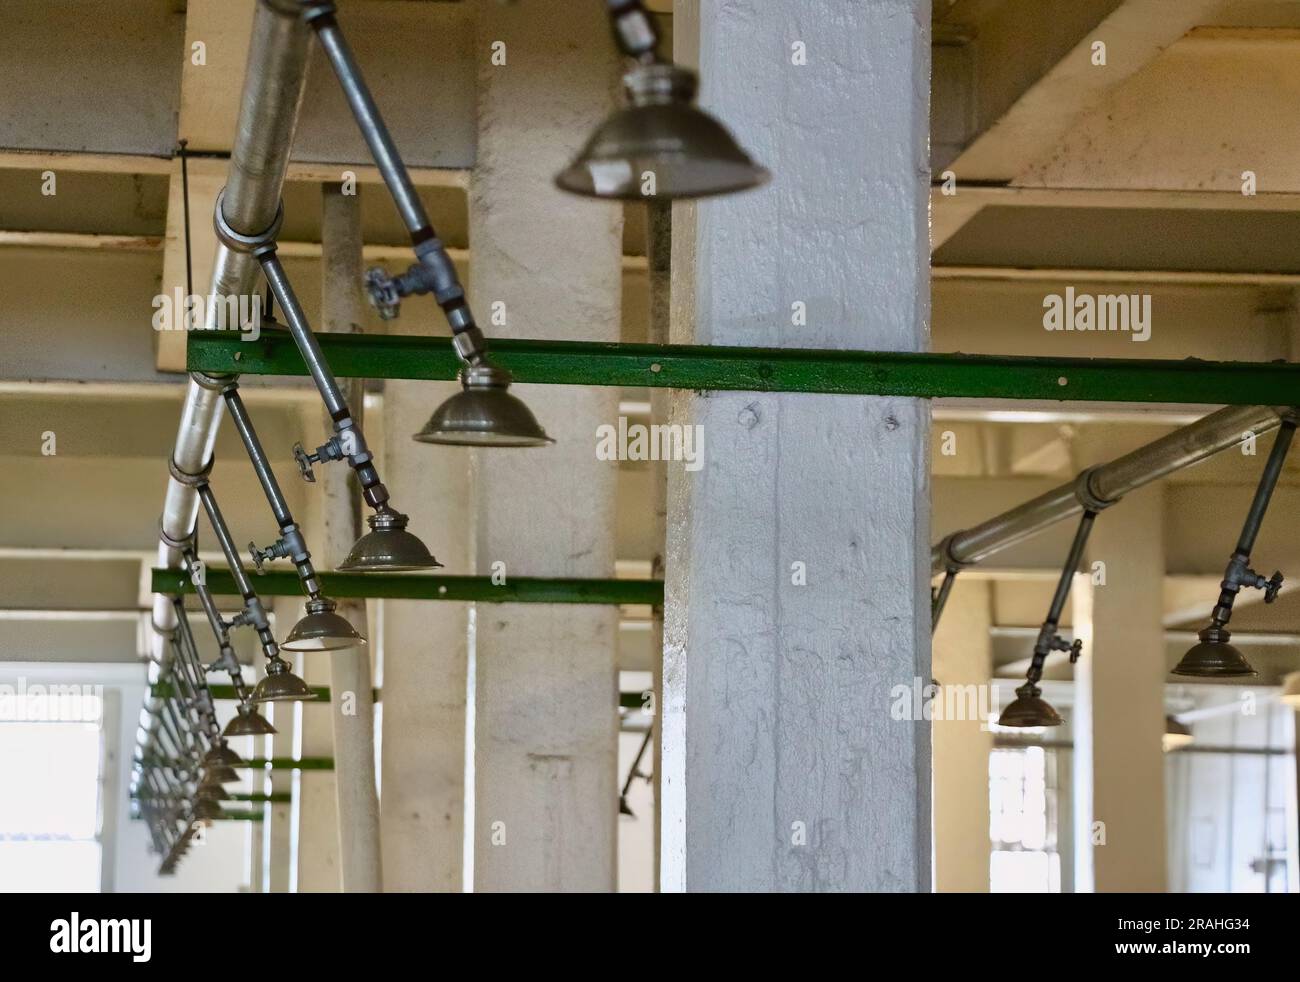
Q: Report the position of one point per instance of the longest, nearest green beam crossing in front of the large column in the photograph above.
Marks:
(770, 370)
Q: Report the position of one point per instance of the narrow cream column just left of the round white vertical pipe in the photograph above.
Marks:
(318, 801)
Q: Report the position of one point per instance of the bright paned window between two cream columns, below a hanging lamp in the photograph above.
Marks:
(1024, 821)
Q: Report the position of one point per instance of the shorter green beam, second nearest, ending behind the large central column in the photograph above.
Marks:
(517, 590)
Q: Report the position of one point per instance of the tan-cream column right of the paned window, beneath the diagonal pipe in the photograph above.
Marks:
(1120, 702)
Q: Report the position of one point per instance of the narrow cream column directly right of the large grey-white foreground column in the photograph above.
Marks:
(964, 667)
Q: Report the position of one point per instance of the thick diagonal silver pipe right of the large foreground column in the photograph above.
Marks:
(1103, 486)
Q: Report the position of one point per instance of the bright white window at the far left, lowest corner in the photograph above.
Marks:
(51, 749)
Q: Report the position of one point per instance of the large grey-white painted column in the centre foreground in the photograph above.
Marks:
(782, 765)
